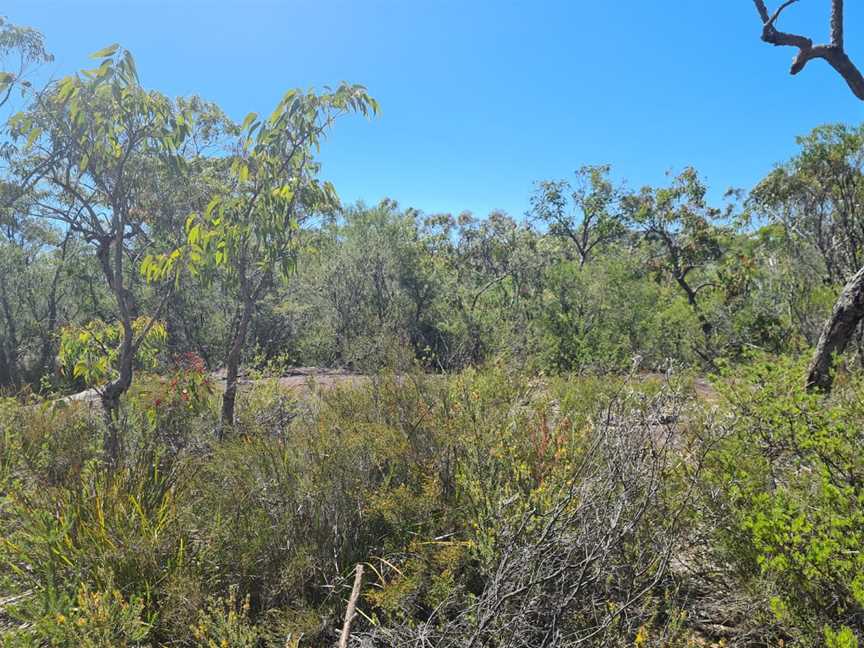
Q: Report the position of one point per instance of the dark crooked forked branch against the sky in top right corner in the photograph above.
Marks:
(833, 52)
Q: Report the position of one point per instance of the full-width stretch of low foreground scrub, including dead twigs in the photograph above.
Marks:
(489, 508)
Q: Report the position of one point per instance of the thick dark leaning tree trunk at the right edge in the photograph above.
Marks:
(838, 330)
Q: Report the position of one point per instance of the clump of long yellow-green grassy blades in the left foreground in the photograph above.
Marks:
(103, 531)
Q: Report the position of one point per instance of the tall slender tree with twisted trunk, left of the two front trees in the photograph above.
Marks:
(97, 138)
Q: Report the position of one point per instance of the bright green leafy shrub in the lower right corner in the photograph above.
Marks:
(790, 470)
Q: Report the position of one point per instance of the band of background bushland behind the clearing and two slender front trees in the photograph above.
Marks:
(372, 287)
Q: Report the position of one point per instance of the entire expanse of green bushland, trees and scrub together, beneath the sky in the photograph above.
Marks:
(587, 426)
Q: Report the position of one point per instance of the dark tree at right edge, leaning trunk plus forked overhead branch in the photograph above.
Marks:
(849, 308)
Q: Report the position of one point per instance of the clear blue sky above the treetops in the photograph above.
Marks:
(481, 98)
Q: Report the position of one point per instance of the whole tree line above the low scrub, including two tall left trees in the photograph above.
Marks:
(250, 258)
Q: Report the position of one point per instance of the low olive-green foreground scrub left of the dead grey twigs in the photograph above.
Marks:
(253, 539)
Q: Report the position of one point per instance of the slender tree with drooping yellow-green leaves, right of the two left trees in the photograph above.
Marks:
(247, 236)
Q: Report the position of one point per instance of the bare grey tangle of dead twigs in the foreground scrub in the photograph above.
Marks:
(588, 570)
